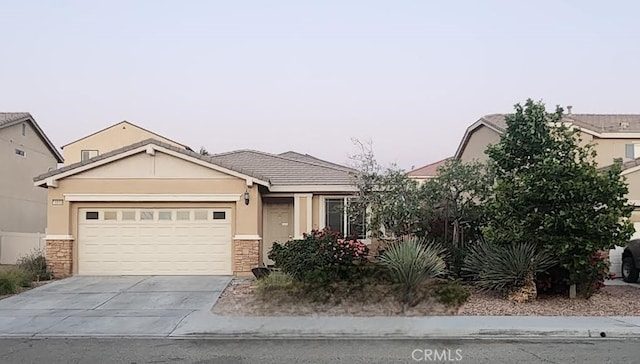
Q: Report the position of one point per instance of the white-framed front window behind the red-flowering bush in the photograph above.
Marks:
(339, 218)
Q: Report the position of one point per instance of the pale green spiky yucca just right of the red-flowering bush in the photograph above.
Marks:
(411, 261)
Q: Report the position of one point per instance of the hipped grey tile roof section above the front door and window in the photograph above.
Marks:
(287, 171)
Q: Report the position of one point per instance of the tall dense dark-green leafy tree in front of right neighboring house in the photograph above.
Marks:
(549, 191)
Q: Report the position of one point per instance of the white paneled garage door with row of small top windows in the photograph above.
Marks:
(154, 241)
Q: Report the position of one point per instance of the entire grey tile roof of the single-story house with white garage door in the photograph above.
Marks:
(270, 169)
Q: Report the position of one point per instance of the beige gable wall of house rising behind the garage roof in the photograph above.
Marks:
(112, 138)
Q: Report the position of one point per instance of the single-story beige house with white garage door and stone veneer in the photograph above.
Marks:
(156, 208)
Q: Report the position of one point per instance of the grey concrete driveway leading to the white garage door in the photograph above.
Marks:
(109, 306)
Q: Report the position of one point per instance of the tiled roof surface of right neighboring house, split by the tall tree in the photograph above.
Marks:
(600, 123)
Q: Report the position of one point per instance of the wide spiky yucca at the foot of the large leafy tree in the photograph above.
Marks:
(505, 268)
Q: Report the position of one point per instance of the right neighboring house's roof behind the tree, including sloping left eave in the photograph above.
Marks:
(594, 123)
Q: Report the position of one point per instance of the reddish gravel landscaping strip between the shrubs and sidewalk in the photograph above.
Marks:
(239, 299)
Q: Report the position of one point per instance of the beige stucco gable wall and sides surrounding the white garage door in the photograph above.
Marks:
(134, 175)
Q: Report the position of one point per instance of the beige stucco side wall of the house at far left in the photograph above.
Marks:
(23, 206)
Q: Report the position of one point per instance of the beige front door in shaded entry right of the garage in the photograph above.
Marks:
(278, 224)
